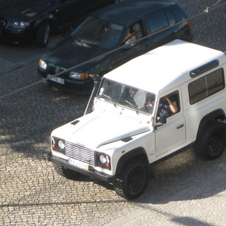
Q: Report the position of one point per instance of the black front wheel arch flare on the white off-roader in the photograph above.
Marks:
(138, 152)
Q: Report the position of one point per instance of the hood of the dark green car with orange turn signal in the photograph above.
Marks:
(71, 53)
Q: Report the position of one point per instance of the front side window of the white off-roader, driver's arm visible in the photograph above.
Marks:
(169, 104)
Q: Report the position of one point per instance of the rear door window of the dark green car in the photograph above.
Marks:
(156, 22)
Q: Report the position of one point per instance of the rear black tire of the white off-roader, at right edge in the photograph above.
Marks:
(211, 143)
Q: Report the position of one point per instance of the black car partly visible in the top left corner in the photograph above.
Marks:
(23, 21)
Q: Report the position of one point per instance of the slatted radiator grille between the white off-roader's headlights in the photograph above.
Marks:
(80, 153)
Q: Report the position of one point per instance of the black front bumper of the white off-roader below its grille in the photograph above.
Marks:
(91, 173)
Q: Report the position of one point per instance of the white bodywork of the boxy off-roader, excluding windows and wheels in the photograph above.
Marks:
(116, 131)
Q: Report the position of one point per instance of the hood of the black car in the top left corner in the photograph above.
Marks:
(18, 9)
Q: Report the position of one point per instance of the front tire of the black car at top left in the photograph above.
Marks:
(42, 34)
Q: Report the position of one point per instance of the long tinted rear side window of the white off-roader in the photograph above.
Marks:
(206, 86)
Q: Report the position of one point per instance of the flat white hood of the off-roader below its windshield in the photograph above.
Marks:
(95, 130)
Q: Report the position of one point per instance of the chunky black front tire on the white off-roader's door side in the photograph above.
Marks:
(131, 183)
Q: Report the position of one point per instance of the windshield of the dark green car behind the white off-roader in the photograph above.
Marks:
(98, 32)
